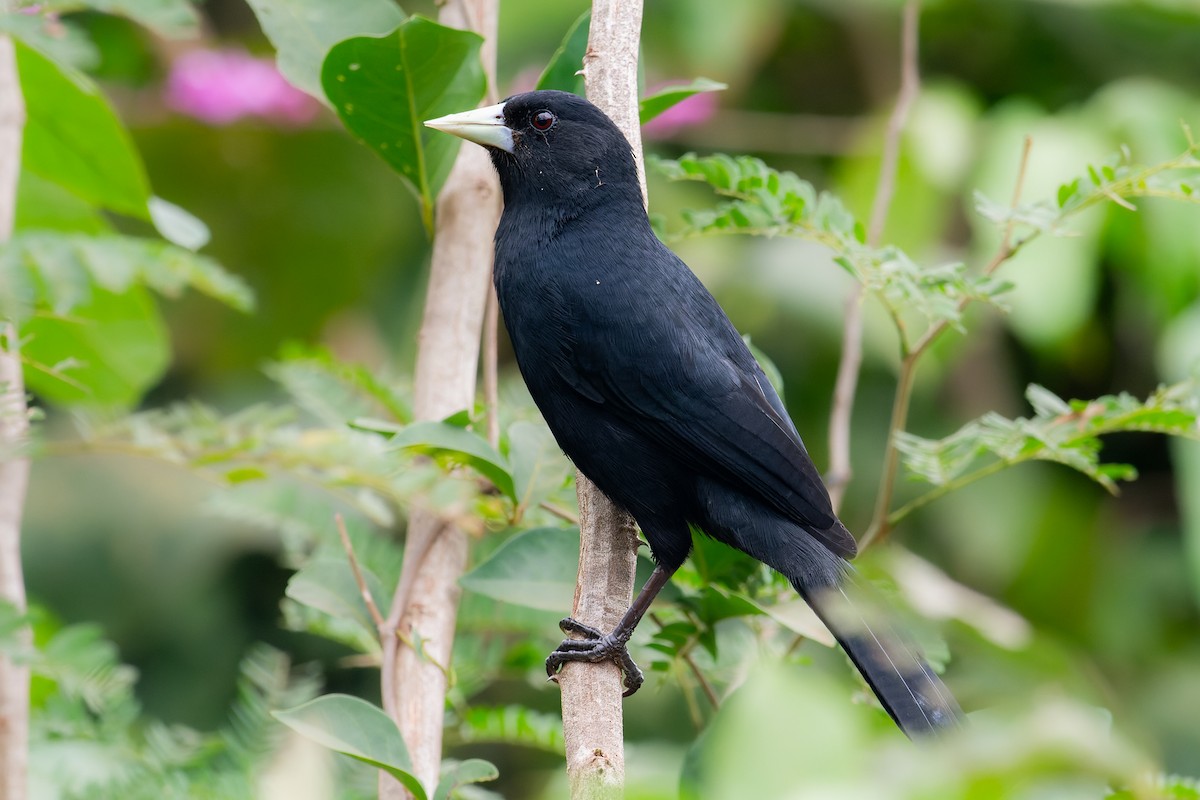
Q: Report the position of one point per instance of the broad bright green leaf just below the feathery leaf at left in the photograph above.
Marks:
(109, 352)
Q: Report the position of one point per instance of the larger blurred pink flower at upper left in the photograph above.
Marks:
(221, 87)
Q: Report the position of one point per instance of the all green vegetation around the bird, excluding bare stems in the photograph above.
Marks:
(194, 605)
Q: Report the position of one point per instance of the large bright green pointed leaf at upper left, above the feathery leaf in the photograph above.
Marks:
(74, 139)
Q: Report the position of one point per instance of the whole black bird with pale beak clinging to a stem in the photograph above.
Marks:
(651, 392)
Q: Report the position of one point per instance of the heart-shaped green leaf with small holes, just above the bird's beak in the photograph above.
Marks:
(385, 89)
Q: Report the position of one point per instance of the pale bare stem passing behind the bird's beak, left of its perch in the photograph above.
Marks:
(425, 605)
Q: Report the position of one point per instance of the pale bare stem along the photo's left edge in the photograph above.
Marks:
(14, 459)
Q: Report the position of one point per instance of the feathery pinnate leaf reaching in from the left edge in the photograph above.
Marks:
(58, 273)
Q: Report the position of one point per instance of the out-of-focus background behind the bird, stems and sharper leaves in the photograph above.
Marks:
(333, 245)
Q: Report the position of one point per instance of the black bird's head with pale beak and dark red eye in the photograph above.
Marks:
(548, 147)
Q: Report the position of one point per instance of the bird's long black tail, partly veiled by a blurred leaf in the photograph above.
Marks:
(896, 671)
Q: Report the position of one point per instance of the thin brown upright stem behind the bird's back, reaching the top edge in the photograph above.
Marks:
(853, 330)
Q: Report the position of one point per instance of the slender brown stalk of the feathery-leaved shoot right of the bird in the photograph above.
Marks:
(881, 525)
